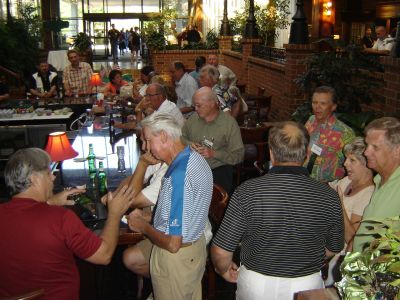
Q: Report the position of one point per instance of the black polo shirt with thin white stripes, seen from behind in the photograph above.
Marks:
(284, 220)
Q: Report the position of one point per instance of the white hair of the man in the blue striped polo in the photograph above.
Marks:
(158, 122)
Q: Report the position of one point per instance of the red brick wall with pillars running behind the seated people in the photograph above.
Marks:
(278, 79)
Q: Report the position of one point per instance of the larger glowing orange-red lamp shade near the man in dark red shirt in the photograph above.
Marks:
(59, 147)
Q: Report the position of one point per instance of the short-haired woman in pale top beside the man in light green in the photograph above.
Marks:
(355, 191)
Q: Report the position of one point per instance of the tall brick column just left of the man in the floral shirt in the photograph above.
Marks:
(292, 95)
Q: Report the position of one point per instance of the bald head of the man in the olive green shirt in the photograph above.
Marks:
(205, 102)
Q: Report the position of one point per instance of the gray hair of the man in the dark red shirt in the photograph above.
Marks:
(21, 165)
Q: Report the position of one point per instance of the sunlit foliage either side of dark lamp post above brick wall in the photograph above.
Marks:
(269, 17)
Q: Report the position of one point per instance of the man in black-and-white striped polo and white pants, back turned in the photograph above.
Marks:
(286, 222)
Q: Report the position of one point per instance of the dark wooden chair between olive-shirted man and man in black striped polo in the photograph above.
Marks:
(255, 140)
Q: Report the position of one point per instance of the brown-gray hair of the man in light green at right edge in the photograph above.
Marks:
(391, 127)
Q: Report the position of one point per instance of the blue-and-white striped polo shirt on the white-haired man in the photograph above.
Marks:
(185, 196)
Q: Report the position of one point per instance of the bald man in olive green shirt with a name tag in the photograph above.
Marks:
(215, 135)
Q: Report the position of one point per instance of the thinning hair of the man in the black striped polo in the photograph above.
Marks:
(288, 142)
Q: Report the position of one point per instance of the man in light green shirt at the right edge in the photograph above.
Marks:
(382, 137)
